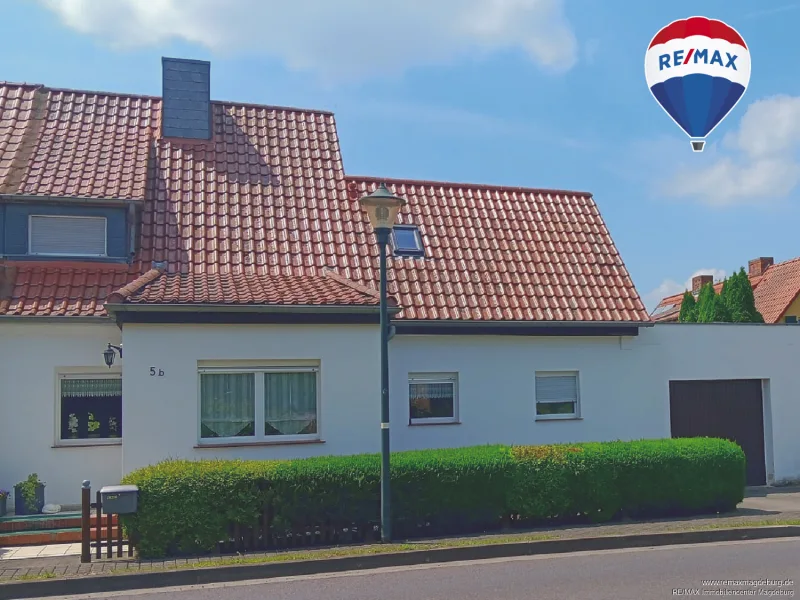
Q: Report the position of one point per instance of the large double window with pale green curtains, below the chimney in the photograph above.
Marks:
(258, 404)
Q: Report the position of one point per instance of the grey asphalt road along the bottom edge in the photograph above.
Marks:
(640, 574)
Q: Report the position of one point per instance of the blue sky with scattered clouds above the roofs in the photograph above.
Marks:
(539, 93)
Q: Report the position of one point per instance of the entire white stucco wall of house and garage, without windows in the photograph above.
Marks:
(624, 389)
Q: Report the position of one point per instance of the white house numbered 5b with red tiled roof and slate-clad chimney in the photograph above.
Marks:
(182, 277)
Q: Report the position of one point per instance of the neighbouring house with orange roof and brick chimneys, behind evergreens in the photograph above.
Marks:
(776, 288)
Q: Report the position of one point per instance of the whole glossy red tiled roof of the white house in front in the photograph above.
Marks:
(263, 211)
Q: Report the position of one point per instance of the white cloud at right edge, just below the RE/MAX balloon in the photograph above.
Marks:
(758, 162)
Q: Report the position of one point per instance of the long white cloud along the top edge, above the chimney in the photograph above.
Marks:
(336, 38)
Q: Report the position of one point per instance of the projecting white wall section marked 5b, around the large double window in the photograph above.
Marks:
(163, 409)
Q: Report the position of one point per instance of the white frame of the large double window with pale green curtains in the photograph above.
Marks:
(260, 437)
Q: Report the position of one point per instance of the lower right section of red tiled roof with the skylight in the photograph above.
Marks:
(506, 237)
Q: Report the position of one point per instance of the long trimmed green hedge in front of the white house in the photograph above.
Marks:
(187, 506)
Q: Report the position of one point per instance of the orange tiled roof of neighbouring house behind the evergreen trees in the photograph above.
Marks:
(774, 289)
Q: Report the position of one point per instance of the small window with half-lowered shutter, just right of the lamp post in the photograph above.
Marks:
(433, 398)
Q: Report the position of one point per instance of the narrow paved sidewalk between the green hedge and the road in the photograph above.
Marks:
(760, 507)
